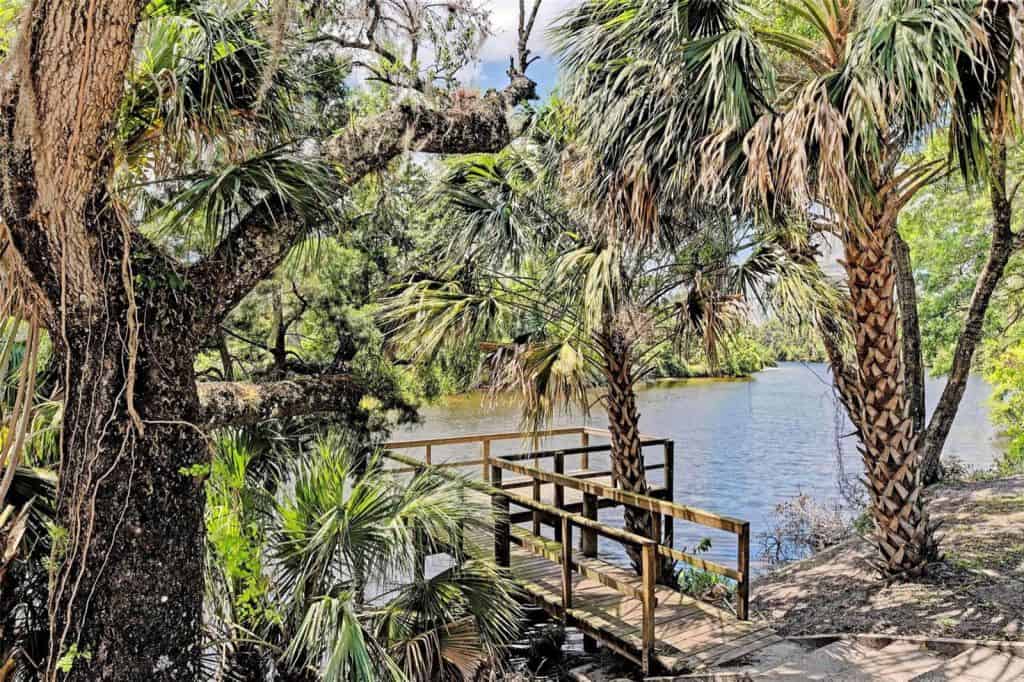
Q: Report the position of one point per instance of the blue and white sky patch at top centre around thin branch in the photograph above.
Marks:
(496, 51)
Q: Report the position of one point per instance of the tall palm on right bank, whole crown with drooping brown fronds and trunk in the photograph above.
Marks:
(809, 118)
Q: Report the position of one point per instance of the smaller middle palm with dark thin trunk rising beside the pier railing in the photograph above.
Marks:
(574, 314)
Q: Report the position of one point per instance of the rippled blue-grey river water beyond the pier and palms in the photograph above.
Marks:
(742, 447)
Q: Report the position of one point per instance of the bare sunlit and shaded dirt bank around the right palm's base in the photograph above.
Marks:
(976, 593)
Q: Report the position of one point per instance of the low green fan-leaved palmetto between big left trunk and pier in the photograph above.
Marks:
(345, 539)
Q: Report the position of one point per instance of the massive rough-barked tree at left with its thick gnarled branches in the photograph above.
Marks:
(127, 592)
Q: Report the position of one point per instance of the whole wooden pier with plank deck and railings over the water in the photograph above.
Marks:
(654, 625)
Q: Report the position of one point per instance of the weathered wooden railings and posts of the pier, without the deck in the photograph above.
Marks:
(593, 493)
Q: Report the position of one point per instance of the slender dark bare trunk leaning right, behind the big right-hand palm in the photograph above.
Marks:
(1003, 247)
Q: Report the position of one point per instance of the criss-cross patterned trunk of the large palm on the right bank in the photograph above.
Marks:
(889, 444)
